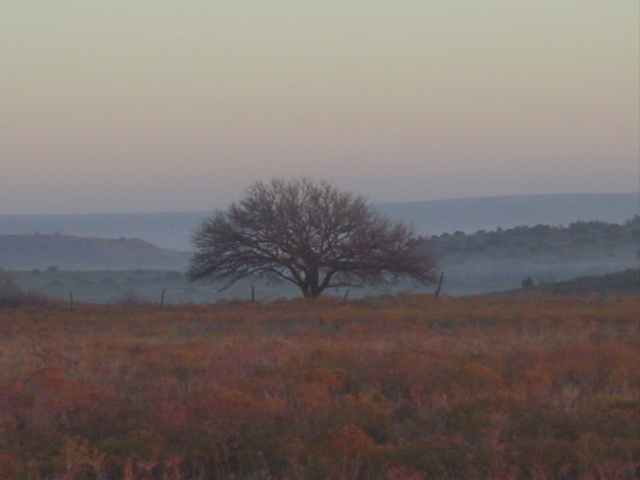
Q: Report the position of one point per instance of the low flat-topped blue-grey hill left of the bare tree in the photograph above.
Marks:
(42, 251)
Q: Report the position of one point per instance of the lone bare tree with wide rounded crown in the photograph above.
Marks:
(309, 234)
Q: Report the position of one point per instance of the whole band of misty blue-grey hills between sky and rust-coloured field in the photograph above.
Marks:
(483, 245)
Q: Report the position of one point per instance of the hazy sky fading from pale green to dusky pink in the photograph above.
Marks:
(132, 105)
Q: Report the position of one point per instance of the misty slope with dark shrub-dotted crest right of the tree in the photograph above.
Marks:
(497, 260)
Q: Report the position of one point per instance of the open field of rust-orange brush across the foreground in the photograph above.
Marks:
(394, 387)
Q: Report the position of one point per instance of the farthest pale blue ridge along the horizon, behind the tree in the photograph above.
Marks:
(173, 230)
